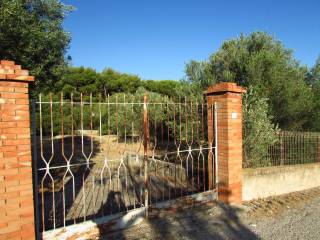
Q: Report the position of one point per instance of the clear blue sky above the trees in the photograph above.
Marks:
(155, 38)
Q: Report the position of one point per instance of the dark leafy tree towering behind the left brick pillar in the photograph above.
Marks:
(31, 34)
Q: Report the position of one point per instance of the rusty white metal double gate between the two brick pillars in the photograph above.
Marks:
(96, 158)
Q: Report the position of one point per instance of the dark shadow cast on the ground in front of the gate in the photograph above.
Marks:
(206, 221)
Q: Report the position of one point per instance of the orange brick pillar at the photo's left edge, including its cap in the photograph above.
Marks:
(16, 190)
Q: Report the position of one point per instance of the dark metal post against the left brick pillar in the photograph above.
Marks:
(34, 168)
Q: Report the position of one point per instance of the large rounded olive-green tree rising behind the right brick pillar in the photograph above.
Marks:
(262, 61)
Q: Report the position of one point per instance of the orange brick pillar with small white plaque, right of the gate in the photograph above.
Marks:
(228, 97)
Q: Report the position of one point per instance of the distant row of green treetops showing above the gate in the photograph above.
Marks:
(109, 82)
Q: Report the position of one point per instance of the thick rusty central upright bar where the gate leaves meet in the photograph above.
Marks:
(145, 157)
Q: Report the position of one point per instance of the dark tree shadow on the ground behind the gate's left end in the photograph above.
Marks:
(61, 185)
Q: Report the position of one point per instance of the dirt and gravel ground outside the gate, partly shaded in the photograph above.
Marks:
(290, 216)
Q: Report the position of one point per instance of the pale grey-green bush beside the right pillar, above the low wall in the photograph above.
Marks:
(258, 131)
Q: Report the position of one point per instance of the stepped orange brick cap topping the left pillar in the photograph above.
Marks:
(10, 71)
